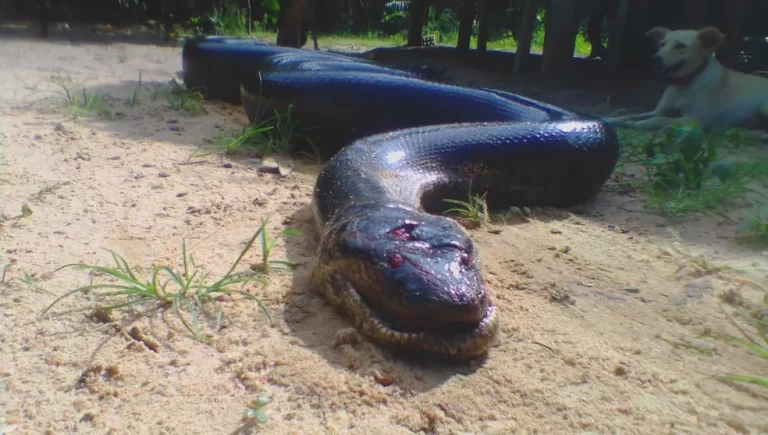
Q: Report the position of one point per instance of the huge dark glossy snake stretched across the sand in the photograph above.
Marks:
(405, 275)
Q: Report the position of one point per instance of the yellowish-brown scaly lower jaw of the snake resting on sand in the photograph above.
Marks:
(460, 340)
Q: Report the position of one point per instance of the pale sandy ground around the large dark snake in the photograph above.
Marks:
(602, 333)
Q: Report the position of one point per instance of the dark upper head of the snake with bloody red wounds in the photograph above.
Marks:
(413, 271)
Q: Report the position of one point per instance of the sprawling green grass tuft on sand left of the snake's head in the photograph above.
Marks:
(186, 291)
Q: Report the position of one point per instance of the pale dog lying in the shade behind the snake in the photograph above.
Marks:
(700, 89)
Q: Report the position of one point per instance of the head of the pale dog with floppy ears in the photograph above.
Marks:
(682, 52)
